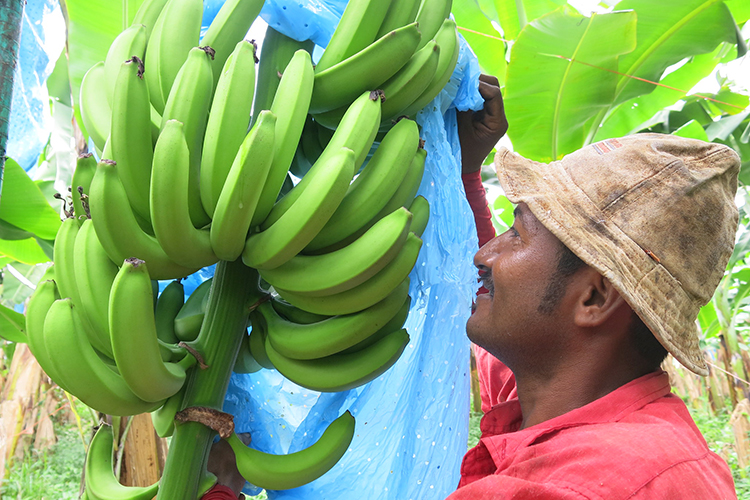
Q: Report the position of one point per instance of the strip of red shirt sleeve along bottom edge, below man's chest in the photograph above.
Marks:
(506, 488)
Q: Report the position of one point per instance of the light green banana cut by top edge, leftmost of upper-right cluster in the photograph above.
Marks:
(356, 30)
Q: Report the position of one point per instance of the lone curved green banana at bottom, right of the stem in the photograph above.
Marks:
(283, 472)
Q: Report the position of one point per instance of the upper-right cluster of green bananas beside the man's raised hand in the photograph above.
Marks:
(408, 49)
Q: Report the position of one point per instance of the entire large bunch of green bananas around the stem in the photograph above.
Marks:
(193, 162)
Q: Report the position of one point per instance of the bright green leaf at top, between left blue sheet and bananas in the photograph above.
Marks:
(92, 26)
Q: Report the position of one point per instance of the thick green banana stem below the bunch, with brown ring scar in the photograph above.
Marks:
(234, 288)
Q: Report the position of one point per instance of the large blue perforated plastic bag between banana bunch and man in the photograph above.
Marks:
(412, 422)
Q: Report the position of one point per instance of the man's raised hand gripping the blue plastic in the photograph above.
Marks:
(479, 131)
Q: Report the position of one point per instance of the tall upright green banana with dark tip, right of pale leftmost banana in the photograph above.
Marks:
(131, 135)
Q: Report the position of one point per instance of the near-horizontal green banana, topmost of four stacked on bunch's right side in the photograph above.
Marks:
(348, 267)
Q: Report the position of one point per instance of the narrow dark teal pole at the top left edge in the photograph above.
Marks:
(10, 36)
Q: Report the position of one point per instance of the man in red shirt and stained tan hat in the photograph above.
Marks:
(613, 251)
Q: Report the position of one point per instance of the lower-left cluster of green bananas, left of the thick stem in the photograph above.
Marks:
(92, 327)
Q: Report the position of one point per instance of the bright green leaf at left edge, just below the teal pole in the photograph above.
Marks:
(23, 204)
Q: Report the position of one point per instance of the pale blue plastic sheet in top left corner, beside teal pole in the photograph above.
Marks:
(42, 39)
